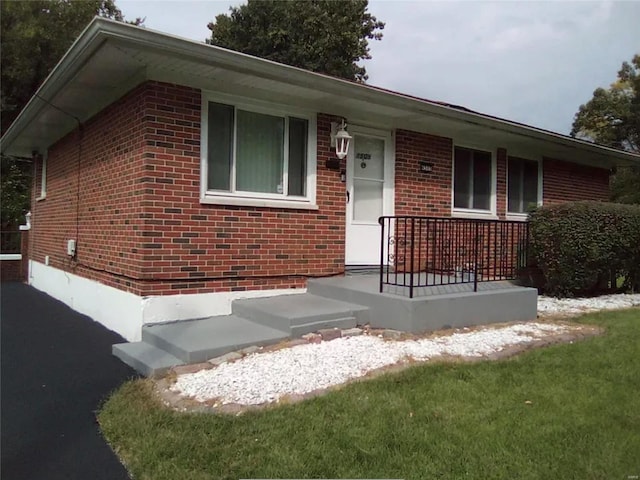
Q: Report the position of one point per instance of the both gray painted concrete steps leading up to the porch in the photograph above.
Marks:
(260, 321)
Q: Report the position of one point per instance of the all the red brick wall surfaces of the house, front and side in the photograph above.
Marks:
(143, 229)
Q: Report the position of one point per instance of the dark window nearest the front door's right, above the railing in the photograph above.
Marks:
(473, 179)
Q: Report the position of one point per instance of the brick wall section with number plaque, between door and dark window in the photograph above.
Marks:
(422, 194)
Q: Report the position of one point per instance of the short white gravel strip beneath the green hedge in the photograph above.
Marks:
(571, 306)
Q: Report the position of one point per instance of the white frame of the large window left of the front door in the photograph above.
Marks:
(217, 197)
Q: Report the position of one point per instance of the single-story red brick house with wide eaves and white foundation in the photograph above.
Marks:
(172, 176)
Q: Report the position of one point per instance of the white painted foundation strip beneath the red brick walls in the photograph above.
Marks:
(125, 313)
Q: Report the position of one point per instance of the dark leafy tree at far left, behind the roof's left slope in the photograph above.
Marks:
(34, 36)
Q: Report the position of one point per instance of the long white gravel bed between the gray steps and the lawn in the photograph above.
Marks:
(266, 377)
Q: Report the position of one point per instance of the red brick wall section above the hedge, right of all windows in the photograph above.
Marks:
(569, 182)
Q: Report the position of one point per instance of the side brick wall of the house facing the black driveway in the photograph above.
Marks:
(93, 197)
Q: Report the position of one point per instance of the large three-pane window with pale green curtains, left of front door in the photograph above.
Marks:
(254, 153)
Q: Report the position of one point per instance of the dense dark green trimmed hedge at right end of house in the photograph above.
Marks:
(580, 246)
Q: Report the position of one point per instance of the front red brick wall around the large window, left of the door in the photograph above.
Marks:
(192, 247)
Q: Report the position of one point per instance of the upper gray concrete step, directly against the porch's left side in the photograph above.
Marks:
(301, 314)
